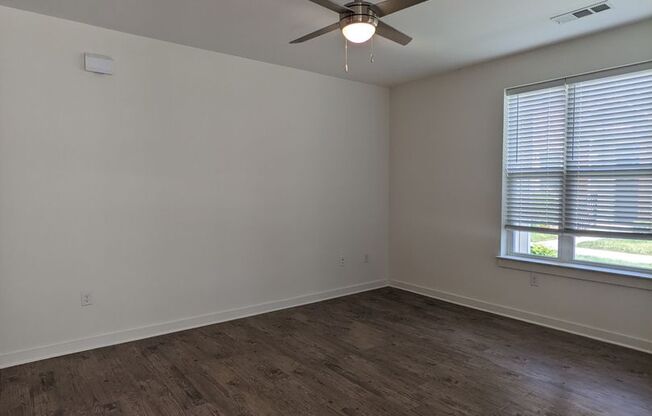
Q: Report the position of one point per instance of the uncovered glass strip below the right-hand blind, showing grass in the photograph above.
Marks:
(613, 251)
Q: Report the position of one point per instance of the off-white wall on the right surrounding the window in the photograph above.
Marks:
(445, 192)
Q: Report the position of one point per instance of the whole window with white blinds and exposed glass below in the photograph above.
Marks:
(578, 170)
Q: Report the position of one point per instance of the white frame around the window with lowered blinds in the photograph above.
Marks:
(566, 242)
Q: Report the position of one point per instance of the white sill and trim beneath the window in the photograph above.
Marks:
(579, 271)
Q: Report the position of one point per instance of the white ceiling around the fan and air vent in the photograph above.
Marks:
(447, 33)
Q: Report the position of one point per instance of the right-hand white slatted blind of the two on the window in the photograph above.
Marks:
(611, 132)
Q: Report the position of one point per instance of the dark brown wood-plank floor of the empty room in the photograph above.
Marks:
(385, 352)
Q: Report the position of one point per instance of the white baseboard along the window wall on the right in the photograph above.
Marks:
(530, 317)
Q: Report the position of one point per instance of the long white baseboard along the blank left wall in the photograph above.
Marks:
(104, 340)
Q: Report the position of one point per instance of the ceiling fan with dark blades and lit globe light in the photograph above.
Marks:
(360, 20)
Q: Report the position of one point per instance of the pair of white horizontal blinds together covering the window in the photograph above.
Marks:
(582, 150)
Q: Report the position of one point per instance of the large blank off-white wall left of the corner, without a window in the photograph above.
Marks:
(187, 184)
